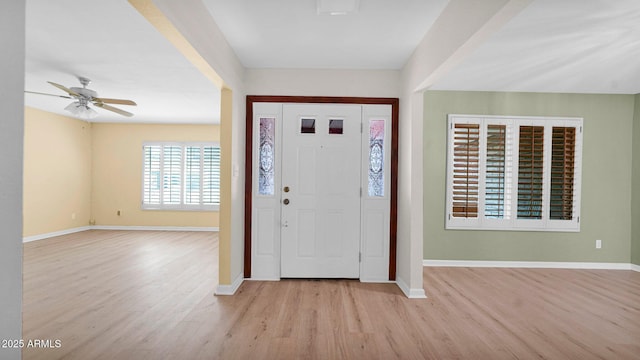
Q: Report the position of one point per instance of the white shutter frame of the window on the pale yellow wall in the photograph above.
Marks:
(183, 205)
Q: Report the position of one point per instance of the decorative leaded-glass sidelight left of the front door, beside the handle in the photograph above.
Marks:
(266, 174)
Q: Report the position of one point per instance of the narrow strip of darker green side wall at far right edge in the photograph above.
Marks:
(635, 198)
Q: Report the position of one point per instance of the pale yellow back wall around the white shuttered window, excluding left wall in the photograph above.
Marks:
(117, 173)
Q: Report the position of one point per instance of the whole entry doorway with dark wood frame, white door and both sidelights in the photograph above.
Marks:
(321, 183)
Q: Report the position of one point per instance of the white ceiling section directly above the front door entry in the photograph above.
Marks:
(382, 34)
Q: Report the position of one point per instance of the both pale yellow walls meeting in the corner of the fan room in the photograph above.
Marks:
(77, 172)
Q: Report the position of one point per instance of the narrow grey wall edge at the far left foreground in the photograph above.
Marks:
(12, 38)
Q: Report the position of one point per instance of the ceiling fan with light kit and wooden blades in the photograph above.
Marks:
(84, 97)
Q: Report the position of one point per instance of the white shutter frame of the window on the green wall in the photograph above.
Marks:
(513, 223)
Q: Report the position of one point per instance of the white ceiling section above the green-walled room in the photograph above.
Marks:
(575, 46)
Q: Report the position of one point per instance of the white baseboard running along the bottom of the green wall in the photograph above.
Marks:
(528, 264)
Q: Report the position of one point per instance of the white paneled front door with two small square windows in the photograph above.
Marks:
(321, 186)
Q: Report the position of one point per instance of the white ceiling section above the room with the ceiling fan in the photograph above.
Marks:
(110, 43)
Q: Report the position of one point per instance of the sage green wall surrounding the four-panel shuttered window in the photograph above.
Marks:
(606, 179)
